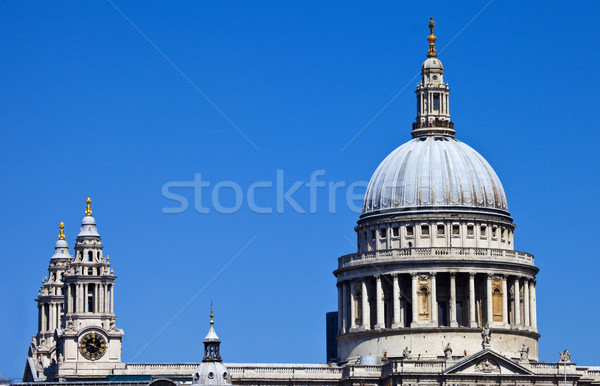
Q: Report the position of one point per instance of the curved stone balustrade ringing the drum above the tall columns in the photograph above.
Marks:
(434, 253)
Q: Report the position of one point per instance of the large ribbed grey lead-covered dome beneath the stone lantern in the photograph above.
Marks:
(434, 172)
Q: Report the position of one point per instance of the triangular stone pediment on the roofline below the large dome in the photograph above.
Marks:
(487, 362)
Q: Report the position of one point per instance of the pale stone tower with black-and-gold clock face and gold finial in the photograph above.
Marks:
(89, 341)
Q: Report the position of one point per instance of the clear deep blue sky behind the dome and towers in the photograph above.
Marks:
(88, 107)
